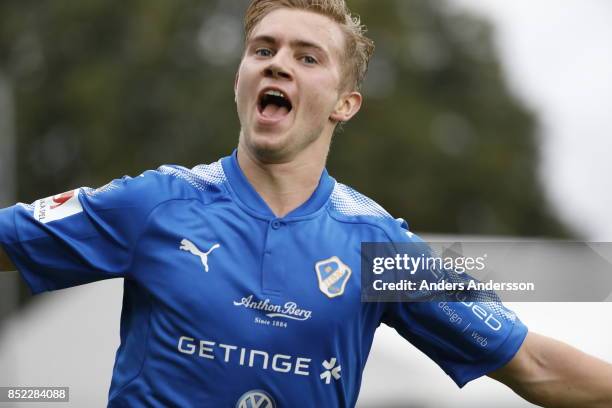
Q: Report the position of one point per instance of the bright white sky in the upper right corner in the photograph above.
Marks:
(558, 60)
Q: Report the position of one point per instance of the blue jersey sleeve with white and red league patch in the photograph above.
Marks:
(80, 236)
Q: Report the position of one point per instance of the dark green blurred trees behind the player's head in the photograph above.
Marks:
(105, 88)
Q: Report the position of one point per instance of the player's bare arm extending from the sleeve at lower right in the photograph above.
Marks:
(550, 373)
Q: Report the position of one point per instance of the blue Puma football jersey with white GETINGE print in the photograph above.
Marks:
(226, 305)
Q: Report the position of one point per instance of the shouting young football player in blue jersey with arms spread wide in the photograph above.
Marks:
(241, 277)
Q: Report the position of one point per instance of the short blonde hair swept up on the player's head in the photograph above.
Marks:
(359, 48)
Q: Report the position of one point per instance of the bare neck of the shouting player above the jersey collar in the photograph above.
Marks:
(284, 186)
